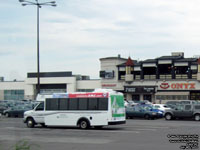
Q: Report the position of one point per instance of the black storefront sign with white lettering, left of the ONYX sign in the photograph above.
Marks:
(139, 89)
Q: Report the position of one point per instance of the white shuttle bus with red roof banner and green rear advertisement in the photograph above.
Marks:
(95, 109)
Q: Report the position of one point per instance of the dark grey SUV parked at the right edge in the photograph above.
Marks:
(184, 111)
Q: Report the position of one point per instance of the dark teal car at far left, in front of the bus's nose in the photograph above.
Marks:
(17, 111)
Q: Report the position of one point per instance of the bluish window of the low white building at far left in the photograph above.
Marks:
(13, 94)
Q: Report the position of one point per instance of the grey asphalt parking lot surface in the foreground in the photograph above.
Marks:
(134, 135)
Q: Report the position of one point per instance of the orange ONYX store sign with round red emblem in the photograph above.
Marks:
(178, 86)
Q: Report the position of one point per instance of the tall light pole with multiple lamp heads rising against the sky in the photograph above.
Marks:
(39, 5)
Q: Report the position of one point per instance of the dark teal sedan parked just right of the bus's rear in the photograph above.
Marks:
(140, 112)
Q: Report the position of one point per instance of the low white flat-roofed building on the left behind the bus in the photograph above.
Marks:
(50, 82)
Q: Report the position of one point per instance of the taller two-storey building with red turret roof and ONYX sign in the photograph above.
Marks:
(158, 80)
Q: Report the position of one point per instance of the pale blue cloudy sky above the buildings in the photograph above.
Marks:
(77, 33)
